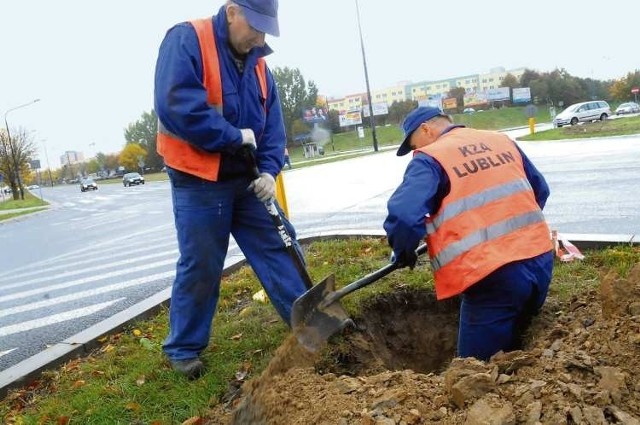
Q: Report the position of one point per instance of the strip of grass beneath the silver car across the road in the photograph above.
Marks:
(617, 127)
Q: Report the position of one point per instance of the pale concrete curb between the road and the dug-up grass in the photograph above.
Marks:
(84, 342)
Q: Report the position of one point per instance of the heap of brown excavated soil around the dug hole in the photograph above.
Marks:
(581, 366)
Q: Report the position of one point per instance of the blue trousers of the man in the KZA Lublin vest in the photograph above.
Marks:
(496, 311)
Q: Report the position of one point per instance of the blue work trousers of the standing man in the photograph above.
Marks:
(206, 213)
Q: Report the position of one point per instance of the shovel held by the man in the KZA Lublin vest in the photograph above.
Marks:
(317, 314)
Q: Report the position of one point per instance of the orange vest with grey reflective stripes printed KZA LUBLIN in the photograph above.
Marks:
(489, 218)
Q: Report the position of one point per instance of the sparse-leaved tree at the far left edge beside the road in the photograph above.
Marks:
(15, 153)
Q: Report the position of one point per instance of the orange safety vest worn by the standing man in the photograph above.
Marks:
(180, 154)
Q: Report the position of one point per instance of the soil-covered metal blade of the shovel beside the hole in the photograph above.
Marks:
(315, 317)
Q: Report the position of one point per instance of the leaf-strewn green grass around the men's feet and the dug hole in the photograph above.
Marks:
(127, 380)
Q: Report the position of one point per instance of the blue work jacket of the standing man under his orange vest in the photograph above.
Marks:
(181, 100)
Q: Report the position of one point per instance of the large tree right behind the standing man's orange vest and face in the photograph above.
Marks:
(295, 96)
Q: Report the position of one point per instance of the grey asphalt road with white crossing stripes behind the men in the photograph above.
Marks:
(96, 253)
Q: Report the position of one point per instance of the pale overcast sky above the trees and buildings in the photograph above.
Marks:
(91, 62)
